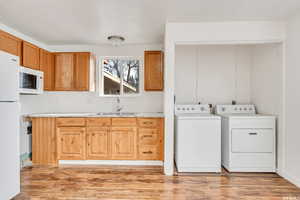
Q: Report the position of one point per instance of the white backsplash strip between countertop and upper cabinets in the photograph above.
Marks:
(89, 102)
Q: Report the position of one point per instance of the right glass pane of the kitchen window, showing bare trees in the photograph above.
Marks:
(131, 76)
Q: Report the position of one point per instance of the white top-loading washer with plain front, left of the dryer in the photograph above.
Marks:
(197, 139)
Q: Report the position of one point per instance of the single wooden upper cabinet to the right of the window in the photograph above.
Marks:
(153, 71)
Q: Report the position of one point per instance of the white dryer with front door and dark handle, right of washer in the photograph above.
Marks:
(248, 139)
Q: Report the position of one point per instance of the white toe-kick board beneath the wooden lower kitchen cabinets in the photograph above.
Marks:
(112, 162)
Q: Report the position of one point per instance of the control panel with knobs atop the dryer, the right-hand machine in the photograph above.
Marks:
(235, 109)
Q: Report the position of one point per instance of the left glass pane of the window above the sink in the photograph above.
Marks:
(111, 76)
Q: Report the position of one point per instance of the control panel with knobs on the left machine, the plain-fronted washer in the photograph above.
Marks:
(193, 108)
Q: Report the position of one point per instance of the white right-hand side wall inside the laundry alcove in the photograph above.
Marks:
(267, 87)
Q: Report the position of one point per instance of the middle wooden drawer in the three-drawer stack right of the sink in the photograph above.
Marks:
(148, 136)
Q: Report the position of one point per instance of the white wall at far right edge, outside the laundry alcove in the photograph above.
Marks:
(292, 164)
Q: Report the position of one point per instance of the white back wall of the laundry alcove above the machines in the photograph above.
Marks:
(212, 73)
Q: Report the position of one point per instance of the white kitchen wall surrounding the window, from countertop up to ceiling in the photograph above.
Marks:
(91, 102)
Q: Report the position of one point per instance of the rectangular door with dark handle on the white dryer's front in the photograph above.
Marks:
(252, 140)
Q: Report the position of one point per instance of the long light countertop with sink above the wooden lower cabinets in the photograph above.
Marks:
(101, 114)
